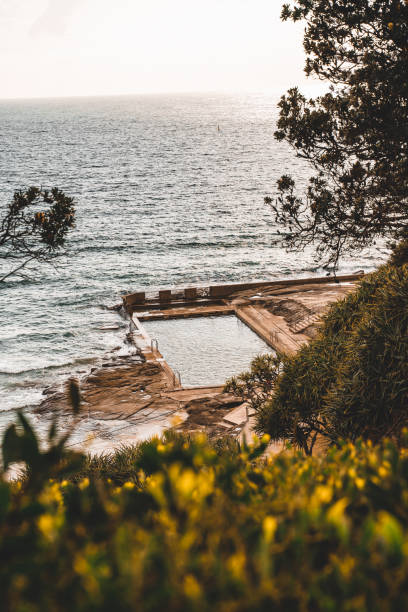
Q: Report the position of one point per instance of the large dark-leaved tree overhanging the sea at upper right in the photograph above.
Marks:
(356, 136)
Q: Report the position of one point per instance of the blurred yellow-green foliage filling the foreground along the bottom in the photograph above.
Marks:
(200, 530)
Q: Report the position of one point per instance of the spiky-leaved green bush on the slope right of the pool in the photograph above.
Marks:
(351, 380)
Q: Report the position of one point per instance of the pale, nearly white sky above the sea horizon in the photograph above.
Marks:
(110, 47)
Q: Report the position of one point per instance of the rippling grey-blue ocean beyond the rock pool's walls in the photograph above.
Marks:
(169, 191)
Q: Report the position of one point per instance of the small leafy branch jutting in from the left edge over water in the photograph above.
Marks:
(29, 233)
